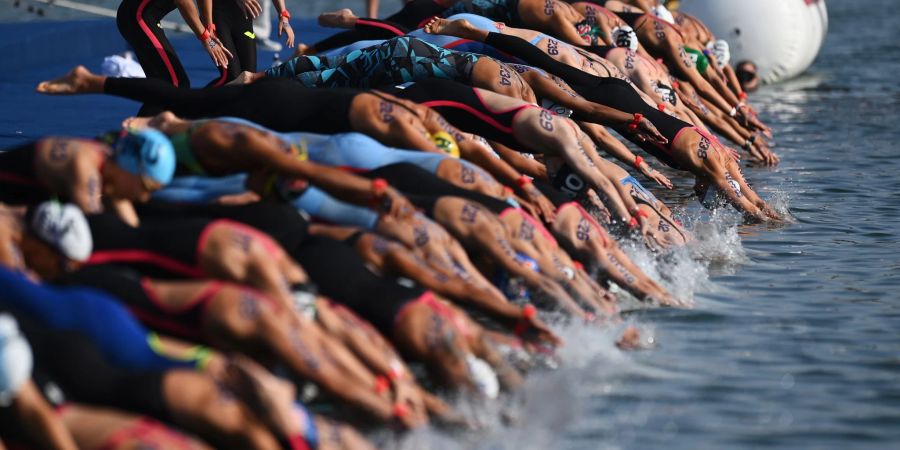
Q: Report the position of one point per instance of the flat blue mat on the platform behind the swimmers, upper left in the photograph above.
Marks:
(37, 51)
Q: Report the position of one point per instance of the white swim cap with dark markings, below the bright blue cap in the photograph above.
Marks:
(63, 227)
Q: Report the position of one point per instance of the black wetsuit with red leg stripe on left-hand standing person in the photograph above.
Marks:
(138, 22)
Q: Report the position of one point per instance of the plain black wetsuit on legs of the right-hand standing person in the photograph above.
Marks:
(235, 30)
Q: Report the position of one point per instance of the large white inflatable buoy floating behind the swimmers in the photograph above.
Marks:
(782, 37)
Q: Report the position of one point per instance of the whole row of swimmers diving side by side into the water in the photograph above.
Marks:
(404, 211)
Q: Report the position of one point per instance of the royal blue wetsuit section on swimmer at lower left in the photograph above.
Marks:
(96, 315)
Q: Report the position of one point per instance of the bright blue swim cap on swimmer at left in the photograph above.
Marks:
(146, 152)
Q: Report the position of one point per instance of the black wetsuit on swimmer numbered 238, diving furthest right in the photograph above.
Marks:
(611, 92)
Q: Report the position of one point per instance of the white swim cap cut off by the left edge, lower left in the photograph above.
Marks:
(15, 359)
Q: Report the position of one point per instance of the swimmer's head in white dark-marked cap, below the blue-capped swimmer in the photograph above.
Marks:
(58, 239)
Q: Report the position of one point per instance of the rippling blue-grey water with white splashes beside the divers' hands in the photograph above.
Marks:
(793, 338)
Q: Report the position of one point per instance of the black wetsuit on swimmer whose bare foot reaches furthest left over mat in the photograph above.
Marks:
(276, 103)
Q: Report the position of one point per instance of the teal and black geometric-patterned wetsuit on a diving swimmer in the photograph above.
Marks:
(396, 60)
